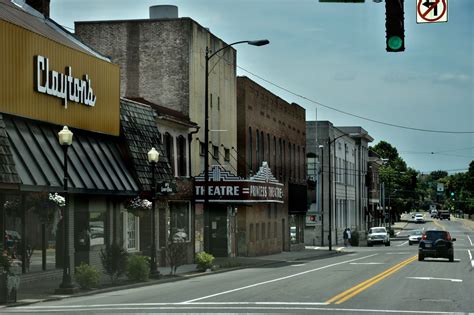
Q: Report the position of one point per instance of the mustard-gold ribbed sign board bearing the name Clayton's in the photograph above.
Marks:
(41, 79)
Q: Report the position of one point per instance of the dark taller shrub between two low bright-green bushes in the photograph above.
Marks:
(114, 261)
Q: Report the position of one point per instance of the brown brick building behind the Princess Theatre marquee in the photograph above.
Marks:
(271, 130)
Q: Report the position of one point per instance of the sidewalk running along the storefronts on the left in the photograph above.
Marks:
(42, 290)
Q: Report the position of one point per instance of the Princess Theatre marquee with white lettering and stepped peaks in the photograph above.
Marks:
(225, 187)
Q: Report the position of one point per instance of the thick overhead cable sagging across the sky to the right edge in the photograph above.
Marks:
(354, 115)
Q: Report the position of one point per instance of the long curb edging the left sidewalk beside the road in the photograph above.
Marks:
(181, 277)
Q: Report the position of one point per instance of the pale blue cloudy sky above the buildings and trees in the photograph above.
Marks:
(334, 54)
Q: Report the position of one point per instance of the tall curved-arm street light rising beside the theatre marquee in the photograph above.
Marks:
(209, 55)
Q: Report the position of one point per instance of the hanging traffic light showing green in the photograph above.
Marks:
(394, 25)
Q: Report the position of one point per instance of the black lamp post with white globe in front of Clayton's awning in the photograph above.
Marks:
(65, 140)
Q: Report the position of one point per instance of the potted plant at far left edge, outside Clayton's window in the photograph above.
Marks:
(9, 281)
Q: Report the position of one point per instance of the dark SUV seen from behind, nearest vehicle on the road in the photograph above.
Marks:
(436, 244)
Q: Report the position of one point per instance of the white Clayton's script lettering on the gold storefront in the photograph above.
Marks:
(61, 85)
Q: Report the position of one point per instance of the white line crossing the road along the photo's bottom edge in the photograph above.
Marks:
(198, 306)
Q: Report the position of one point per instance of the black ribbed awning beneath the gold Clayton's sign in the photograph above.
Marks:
(95, 163)
